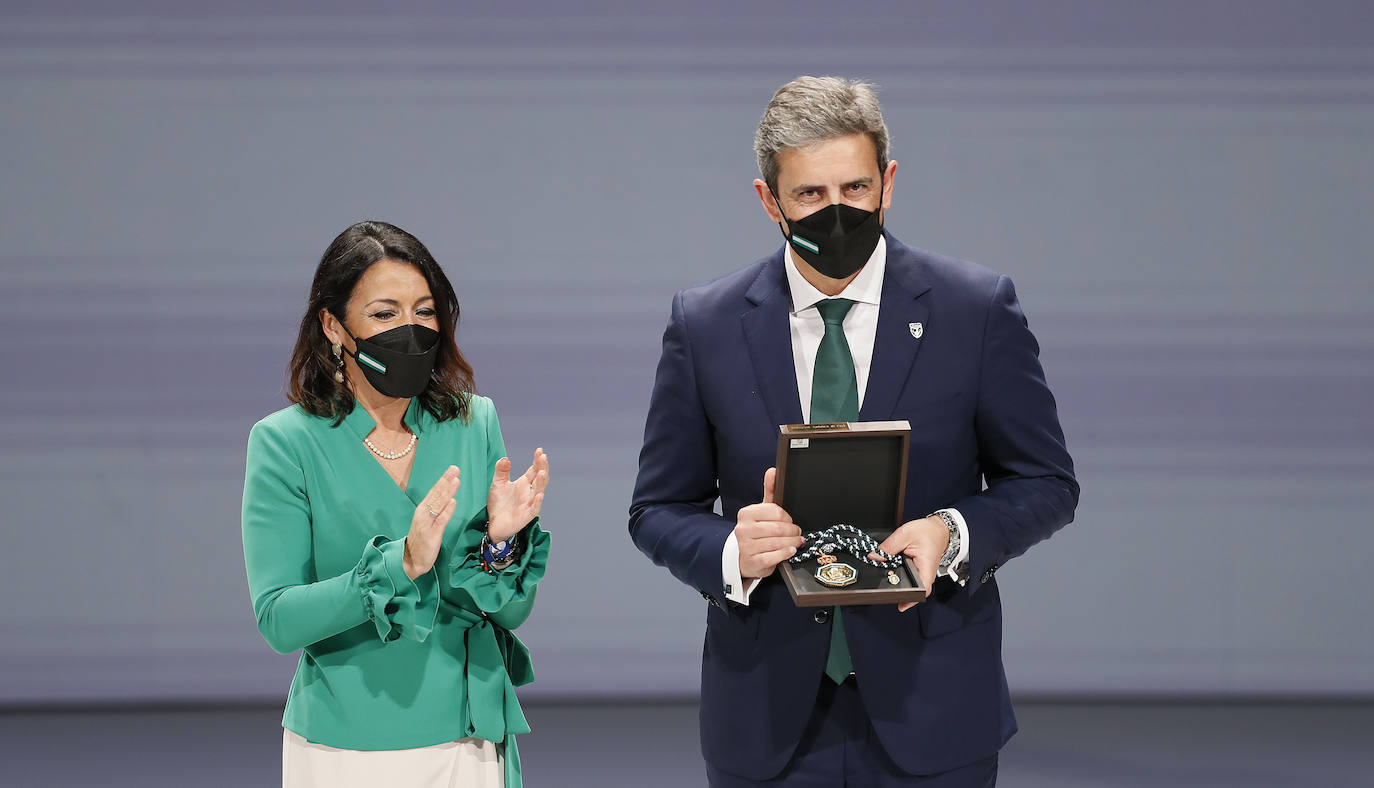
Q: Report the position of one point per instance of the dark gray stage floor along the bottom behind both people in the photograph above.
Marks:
(655, 746)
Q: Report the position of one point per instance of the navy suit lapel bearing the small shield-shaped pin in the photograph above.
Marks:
(895, 348)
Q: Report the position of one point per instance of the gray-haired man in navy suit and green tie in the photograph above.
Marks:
(847, 323)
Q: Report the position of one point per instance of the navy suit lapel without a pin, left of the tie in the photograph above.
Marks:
(769, 338)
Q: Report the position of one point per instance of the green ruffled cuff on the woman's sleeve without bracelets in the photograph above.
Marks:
(399, 606)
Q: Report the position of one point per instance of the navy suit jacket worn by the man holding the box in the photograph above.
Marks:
(980, 411)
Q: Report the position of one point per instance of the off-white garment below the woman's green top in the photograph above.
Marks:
(464, 764)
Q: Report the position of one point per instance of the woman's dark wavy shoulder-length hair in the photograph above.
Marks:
(311, 374)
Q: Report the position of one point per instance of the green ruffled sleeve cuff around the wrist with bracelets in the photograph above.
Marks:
(494, 591)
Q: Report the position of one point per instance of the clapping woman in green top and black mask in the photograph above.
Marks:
(385, 537)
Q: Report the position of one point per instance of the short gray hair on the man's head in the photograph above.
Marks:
(811, 111)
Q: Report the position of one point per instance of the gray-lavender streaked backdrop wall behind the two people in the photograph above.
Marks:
(1182, 192)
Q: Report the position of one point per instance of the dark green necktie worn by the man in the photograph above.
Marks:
(835, 397)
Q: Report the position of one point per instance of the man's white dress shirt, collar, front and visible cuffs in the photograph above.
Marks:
(807, 330)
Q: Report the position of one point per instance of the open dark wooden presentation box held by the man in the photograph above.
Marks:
(846, 473)
